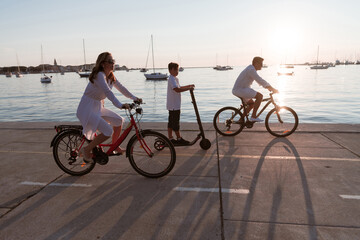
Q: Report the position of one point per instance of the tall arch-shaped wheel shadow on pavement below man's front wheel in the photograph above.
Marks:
(278, 194)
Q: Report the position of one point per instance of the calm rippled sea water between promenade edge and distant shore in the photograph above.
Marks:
(318, 96)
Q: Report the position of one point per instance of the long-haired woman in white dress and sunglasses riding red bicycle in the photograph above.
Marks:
(91, 111)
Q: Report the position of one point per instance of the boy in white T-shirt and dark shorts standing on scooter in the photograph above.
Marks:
(173, 104)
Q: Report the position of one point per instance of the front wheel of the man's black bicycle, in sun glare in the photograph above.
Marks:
(281, 123)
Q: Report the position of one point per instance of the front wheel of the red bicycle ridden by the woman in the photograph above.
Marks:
(152, 154)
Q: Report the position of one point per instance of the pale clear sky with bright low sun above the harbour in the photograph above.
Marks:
(195, 33)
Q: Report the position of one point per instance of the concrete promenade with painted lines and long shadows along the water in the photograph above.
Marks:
(251, 186)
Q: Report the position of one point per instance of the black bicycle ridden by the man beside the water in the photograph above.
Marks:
(281, 121)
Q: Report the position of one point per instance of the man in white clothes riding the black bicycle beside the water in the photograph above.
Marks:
(242, 88)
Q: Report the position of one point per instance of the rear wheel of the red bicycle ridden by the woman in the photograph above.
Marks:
(66, 153)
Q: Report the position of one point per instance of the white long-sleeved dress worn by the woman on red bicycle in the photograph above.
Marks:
(91, 112)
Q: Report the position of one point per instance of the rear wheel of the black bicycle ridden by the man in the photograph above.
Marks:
(228, 121)
